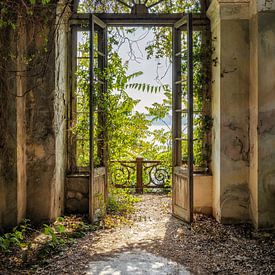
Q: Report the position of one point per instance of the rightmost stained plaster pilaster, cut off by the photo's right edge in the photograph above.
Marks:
(262, 113)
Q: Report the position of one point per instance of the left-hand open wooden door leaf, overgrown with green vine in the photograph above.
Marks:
(98, 130)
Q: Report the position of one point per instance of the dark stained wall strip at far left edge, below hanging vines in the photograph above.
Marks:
(8, 133)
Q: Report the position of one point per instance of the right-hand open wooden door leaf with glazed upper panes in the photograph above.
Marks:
(182, 197)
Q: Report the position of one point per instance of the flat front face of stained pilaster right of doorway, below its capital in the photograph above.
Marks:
(234, 120)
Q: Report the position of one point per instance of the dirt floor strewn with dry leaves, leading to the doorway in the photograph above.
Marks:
(206, 247)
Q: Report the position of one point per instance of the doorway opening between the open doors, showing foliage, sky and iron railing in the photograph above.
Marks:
(140, 144)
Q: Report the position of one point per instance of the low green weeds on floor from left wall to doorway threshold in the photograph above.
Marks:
(31, 246)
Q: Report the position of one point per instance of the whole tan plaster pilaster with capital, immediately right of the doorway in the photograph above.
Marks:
(230, 109)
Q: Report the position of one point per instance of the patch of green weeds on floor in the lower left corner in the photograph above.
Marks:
(31, 245)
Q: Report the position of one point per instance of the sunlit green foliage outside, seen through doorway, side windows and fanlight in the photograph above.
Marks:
(128, 130)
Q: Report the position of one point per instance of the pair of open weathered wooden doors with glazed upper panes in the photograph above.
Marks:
(182, 181)
